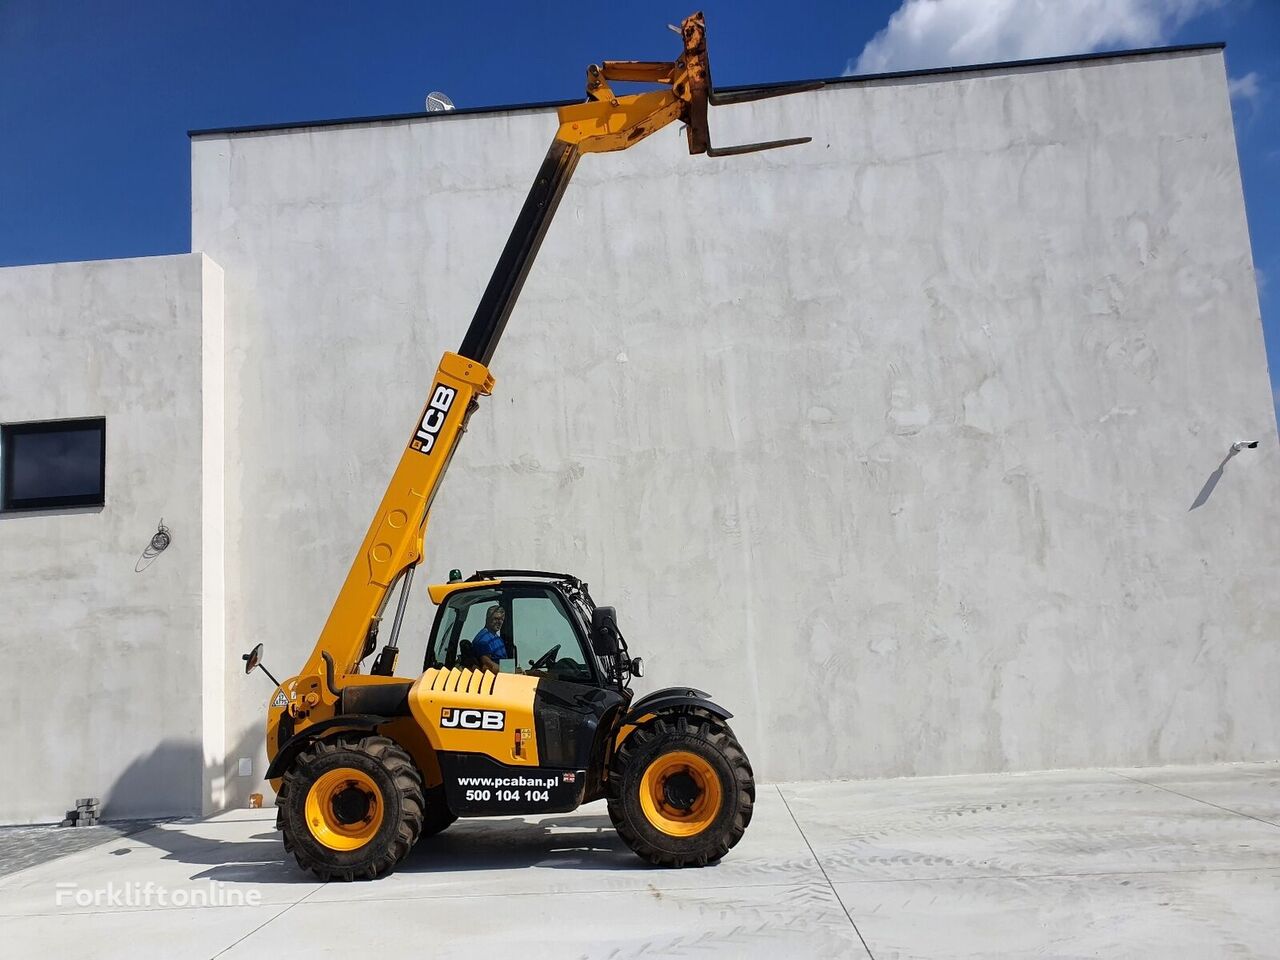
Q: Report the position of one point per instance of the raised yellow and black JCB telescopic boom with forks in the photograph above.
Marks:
(606, 122)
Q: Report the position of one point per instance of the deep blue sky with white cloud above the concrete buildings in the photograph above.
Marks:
(97, 98)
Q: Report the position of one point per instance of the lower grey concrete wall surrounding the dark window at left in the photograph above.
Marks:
(103, 678)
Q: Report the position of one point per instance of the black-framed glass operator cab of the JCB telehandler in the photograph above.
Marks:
(548, 628)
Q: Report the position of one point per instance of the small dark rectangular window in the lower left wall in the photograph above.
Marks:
(53, 464)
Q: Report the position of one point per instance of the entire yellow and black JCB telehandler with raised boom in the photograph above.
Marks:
(365, 765)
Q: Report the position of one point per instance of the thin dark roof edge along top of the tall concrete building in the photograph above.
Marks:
(834, 81)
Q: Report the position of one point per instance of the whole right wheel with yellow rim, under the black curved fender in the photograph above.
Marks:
(682, 792)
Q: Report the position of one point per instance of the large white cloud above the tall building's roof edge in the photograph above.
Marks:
(925, 34)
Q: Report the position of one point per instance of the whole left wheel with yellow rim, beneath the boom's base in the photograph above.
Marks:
(351, 808)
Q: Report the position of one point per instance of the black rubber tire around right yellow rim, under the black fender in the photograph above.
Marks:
(714, 743)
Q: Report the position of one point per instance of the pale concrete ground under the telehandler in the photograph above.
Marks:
(1127, 863)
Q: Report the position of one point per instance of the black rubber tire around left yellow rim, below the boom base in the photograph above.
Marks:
(399, 785)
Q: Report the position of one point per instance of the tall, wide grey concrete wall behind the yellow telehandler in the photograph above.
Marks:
(889, 441)
